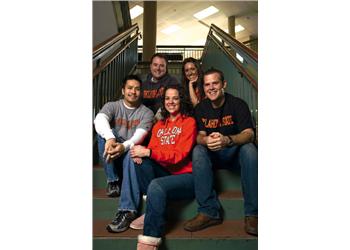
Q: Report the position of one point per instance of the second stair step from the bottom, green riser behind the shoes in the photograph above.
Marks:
(231, 201)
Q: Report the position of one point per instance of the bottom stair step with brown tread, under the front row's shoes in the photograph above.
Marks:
(229, 235)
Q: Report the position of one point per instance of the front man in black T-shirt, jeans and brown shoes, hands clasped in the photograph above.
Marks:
(225, 139)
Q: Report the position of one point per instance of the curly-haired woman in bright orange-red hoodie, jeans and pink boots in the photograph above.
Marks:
(166, 168)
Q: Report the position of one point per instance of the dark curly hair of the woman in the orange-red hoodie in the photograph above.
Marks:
(185, 104)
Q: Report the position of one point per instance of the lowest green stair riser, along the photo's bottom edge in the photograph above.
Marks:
(176, 244)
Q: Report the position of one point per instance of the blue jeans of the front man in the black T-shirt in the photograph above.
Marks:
(244, 157)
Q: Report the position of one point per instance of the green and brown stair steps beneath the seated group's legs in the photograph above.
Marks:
(227, 236)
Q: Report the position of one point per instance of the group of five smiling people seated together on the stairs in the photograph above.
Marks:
(166, 139)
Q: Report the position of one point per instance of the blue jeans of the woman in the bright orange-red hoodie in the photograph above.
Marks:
(160, 185)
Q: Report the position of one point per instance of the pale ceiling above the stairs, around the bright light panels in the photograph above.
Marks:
(193, 32)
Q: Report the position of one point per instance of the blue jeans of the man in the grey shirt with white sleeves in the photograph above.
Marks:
(130, 194)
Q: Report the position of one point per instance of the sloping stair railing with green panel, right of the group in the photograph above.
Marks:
(238, 62)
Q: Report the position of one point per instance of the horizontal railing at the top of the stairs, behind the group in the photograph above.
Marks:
(176, 53)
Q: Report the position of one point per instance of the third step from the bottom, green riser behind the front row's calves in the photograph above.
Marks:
(224, 179)
